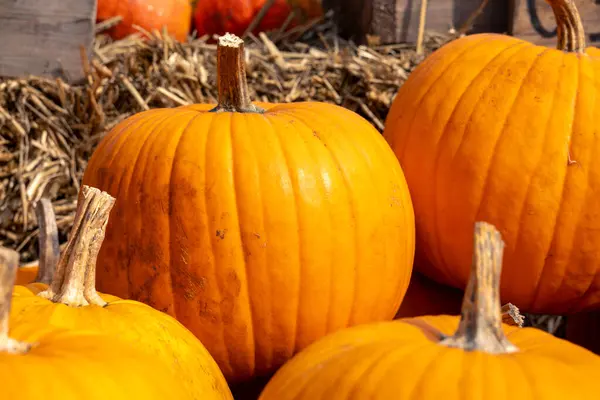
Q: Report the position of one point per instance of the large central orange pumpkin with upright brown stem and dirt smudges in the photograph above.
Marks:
(261, 227)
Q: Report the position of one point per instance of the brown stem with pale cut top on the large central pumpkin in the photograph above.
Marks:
(231, 77)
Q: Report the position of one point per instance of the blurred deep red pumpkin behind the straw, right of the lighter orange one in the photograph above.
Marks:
(219, 17)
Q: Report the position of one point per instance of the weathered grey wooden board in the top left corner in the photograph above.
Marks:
(43, 37)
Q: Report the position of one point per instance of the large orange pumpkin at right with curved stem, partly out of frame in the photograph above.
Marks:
(493, 127)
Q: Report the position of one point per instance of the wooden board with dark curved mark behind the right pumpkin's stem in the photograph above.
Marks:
(533, 21)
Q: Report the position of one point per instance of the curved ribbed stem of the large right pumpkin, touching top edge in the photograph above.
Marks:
(569, 29)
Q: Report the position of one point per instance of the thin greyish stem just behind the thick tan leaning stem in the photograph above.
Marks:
(48, 241)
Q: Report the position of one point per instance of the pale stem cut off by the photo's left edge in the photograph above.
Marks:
(9, 261)
